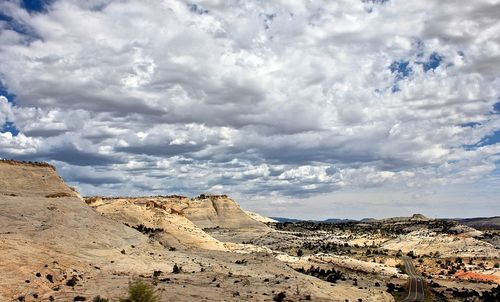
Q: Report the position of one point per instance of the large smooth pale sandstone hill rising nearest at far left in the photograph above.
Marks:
(46, 228)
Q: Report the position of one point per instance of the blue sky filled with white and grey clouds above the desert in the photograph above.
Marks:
(305, 109)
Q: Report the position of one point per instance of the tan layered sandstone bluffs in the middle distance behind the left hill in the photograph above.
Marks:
(178, 220)
